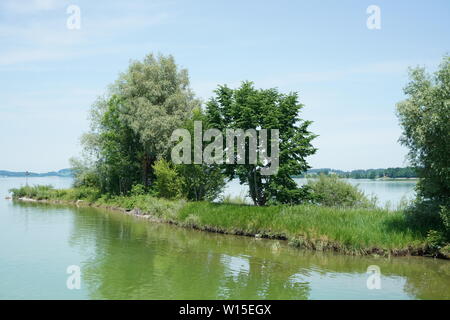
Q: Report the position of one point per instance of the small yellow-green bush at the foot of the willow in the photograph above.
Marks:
(168, 184)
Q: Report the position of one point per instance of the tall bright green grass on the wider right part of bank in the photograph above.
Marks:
(334, 228)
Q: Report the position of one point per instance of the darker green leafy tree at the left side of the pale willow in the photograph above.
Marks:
(114, 150)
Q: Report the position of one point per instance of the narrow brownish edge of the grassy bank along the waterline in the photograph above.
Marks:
(300, 243)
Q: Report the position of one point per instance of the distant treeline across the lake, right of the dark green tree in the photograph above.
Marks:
(408, 172)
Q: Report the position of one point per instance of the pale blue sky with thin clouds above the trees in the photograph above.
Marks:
(348, 77)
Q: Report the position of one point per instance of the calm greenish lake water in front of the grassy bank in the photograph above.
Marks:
(126, 258)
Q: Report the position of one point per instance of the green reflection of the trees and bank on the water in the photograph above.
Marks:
(135, 259)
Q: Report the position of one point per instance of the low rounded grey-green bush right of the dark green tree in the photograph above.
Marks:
(333, 192)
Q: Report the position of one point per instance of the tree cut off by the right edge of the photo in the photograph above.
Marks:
(425, 119)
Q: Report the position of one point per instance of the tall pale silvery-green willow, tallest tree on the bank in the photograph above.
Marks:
(156, 99)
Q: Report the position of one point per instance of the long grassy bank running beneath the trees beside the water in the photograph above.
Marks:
(351, 231)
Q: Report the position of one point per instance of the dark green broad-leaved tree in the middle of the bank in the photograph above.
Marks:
(249, 108)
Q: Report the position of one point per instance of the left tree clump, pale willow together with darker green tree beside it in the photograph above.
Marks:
(132, 124)
